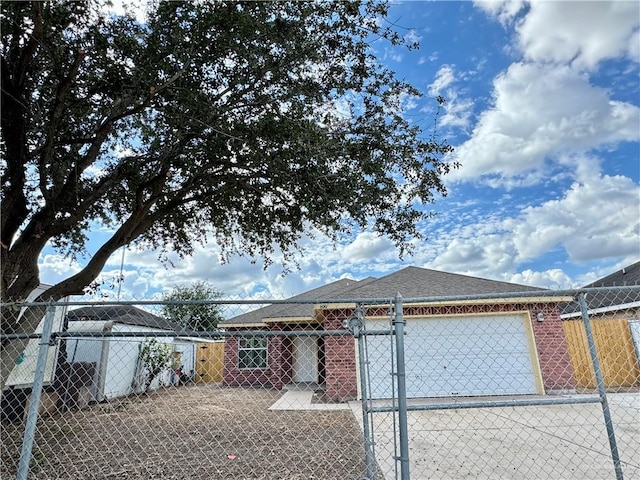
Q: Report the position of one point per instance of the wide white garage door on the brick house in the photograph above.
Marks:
(456, 356)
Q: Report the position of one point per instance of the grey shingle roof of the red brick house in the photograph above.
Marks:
(410, 282)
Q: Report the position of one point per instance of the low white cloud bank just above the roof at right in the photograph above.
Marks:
(594, 220)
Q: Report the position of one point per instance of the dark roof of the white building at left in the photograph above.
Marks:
(125, 314)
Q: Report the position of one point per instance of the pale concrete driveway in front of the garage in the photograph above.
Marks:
(533, 442)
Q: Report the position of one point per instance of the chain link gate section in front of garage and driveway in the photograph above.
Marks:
(551, 422)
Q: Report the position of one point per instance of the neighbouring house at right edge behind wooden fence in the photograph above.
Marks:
(614, 316)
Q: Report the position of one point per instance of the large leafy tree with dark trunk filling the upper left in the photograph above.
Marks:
(250, 123)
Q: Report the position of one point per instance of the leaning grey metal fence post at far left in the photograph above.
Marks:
(36, 393)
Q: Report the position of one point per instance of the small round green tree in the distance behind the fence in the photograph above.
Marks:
(201, 317)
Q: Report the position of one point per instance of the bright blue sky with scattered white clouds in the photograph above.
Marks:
(543, 109)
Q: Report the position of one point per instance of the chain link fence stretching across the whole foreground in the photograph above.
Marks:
(484, 386)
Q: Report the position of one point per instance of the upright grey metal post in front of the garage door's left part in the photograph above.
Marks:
(398, 321)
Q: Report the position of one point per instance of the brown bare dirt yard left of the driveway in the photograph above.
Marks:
(191, 432)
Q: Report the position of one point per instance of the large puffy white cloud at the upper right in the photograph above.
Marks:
(545, 106)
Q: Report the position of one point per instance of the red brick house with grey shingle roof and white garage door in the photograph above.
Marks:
(483, 345)
